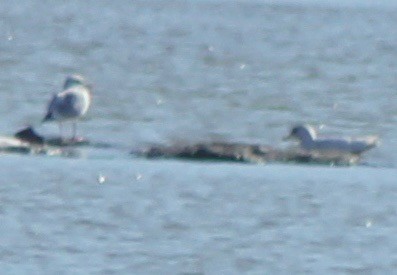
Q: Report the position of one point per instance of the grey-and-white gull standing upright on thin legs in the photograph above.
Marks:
(71, 104)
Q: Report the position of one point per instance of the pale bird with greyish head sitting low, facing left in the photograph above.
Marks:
(307, 137)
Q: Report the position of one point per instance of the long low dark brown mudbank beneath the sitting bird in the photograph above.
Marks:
(251, 153)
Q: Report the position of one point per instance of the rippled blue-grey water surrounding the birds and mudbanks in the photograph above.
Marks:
(181, 72)
